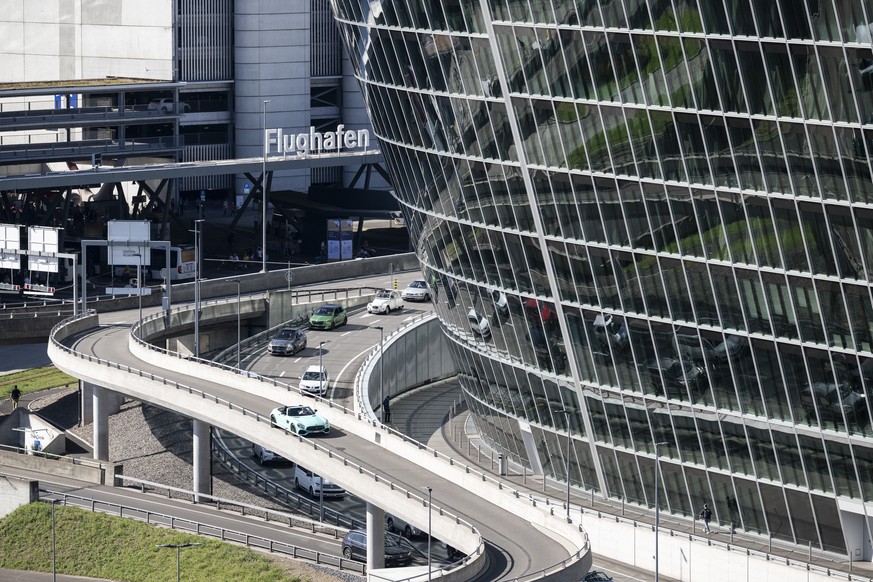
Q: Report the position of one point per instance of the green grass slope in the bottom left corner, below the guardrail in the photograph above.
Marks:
(103, 546)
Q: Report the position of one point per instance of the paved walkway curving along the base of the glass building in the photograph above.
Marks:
(426, 415)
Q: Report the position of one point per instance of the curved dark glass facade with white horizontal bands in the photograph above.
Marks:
(646, 222)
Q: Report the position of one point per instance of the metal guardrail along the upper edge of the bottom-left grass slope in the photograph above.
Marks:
(224, 534)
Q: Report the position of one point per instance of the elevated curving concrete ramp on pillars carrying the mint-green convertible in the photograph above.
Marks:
(523, 541)
